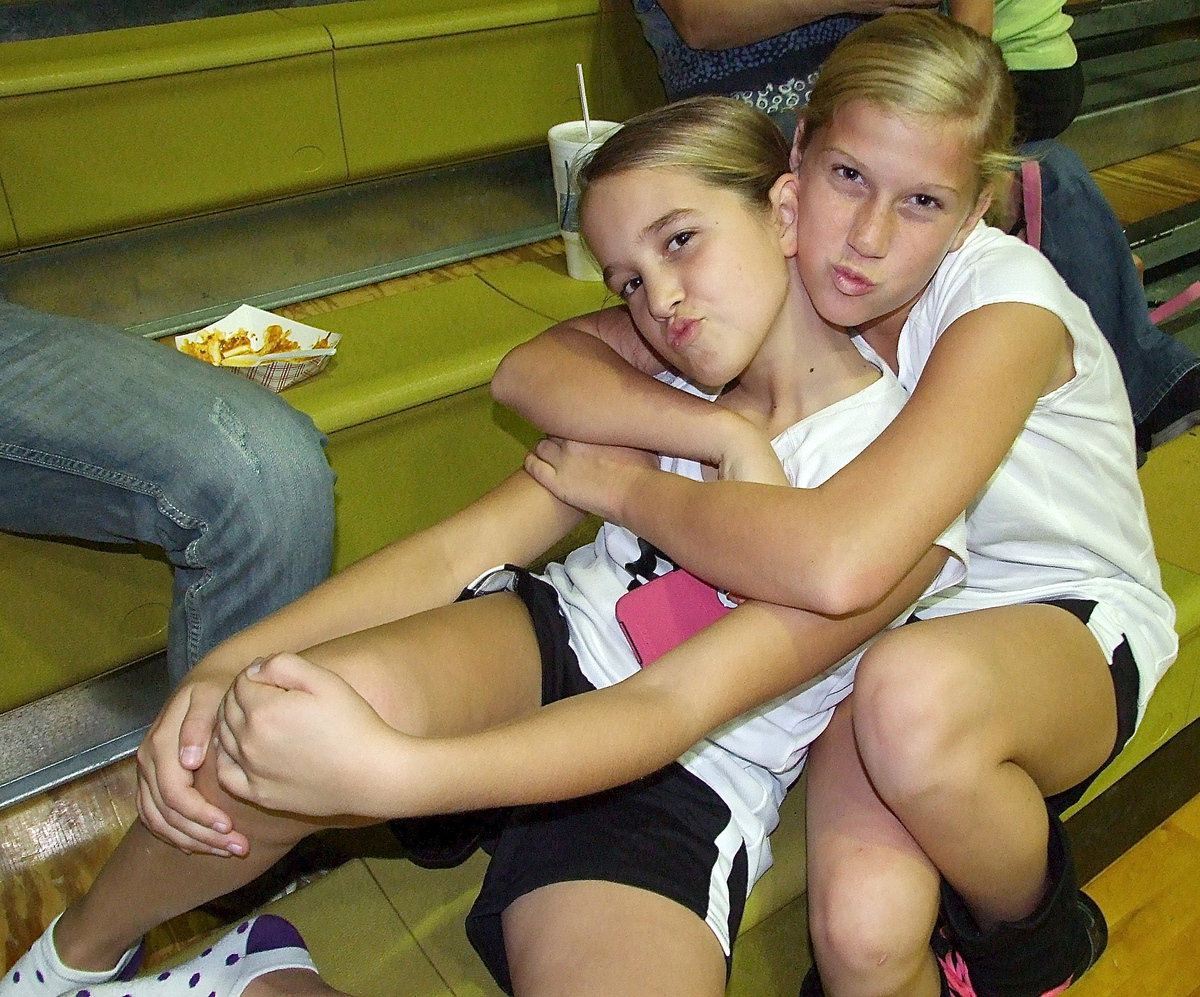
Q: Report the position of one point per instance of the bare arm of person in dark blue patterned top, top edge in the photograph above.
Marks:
(713, 25)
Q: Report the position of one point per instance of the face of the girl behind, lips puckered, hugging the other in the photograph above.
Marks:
(883, 201)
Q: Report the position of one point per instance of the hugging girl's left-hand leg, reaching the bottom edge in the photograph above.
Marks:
(873, 893)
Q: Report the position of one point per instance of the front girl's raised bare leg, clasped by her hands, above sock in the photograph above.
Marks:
(461, 668)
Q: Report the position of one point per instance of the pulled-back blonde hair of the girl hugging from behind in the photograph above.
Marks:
(920, 63)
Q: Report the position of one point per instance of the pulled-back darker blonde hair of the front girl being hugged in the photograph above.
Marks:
(721, 141)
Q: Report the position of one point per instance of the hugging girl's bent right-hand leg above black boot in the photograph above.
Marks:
(965, 724)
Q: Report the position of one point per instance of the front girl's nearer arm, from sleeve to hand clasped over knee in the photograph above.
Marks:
(598, 740)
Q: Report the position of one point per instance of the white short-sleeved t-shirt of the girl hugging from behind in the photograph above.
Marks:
(1064, 515)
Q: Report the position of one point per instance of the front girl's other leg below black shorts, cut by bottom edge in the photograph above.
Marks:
(593, 938)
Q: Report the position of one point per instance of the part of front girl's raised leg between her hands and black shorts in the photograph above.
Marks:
(453, 670)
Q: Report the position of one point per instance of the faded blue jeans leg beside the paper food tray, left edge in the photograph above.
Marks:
(115, 439)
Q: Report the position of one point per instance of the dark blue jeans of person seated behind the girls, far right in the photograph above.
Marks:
(1085, 243)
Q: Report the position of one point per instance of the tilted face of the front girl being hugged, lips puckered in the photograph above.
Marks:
(705, 275)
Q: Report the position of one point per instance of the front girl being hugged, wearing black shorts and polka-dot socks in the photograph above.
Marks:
(380, 696)
